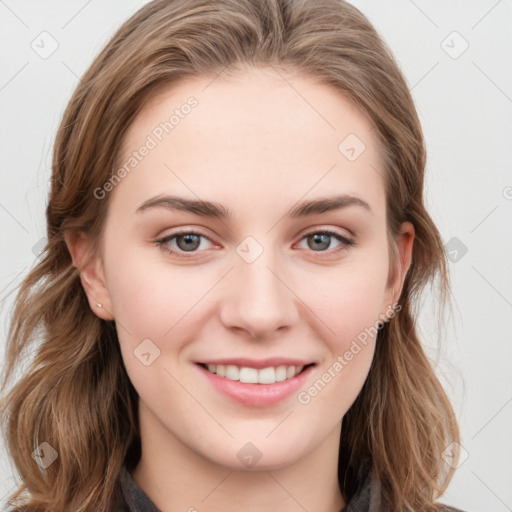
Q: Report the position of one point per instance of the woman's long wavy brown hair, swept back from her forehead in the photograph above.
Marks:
(75, 393)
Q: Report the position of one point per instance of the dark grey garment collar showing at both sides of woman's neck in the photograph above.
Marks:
(366, 499)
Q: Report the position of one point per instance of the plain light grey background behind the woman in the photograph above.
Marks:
(465, 105)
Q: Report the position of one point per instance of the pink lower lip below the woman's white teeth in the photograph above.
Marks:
(257, 395)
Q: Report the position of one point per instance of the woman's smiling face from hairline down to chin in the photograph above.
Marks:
(255, 169)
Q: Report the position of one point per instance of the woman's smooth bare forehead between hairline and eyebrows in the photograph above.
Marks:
(262, 133)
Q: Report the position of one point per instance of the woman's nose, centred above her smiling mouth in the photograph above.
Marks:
(258, 299)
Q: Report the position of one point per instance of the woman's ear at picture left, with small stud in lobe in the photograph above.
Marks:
(90, 264)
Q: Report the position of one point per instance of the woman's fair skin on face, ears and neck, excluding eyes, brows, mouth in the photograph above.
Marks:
(256, 146)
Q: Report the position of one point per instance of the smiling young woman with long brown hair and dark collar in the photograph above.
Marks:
(223, 316)
